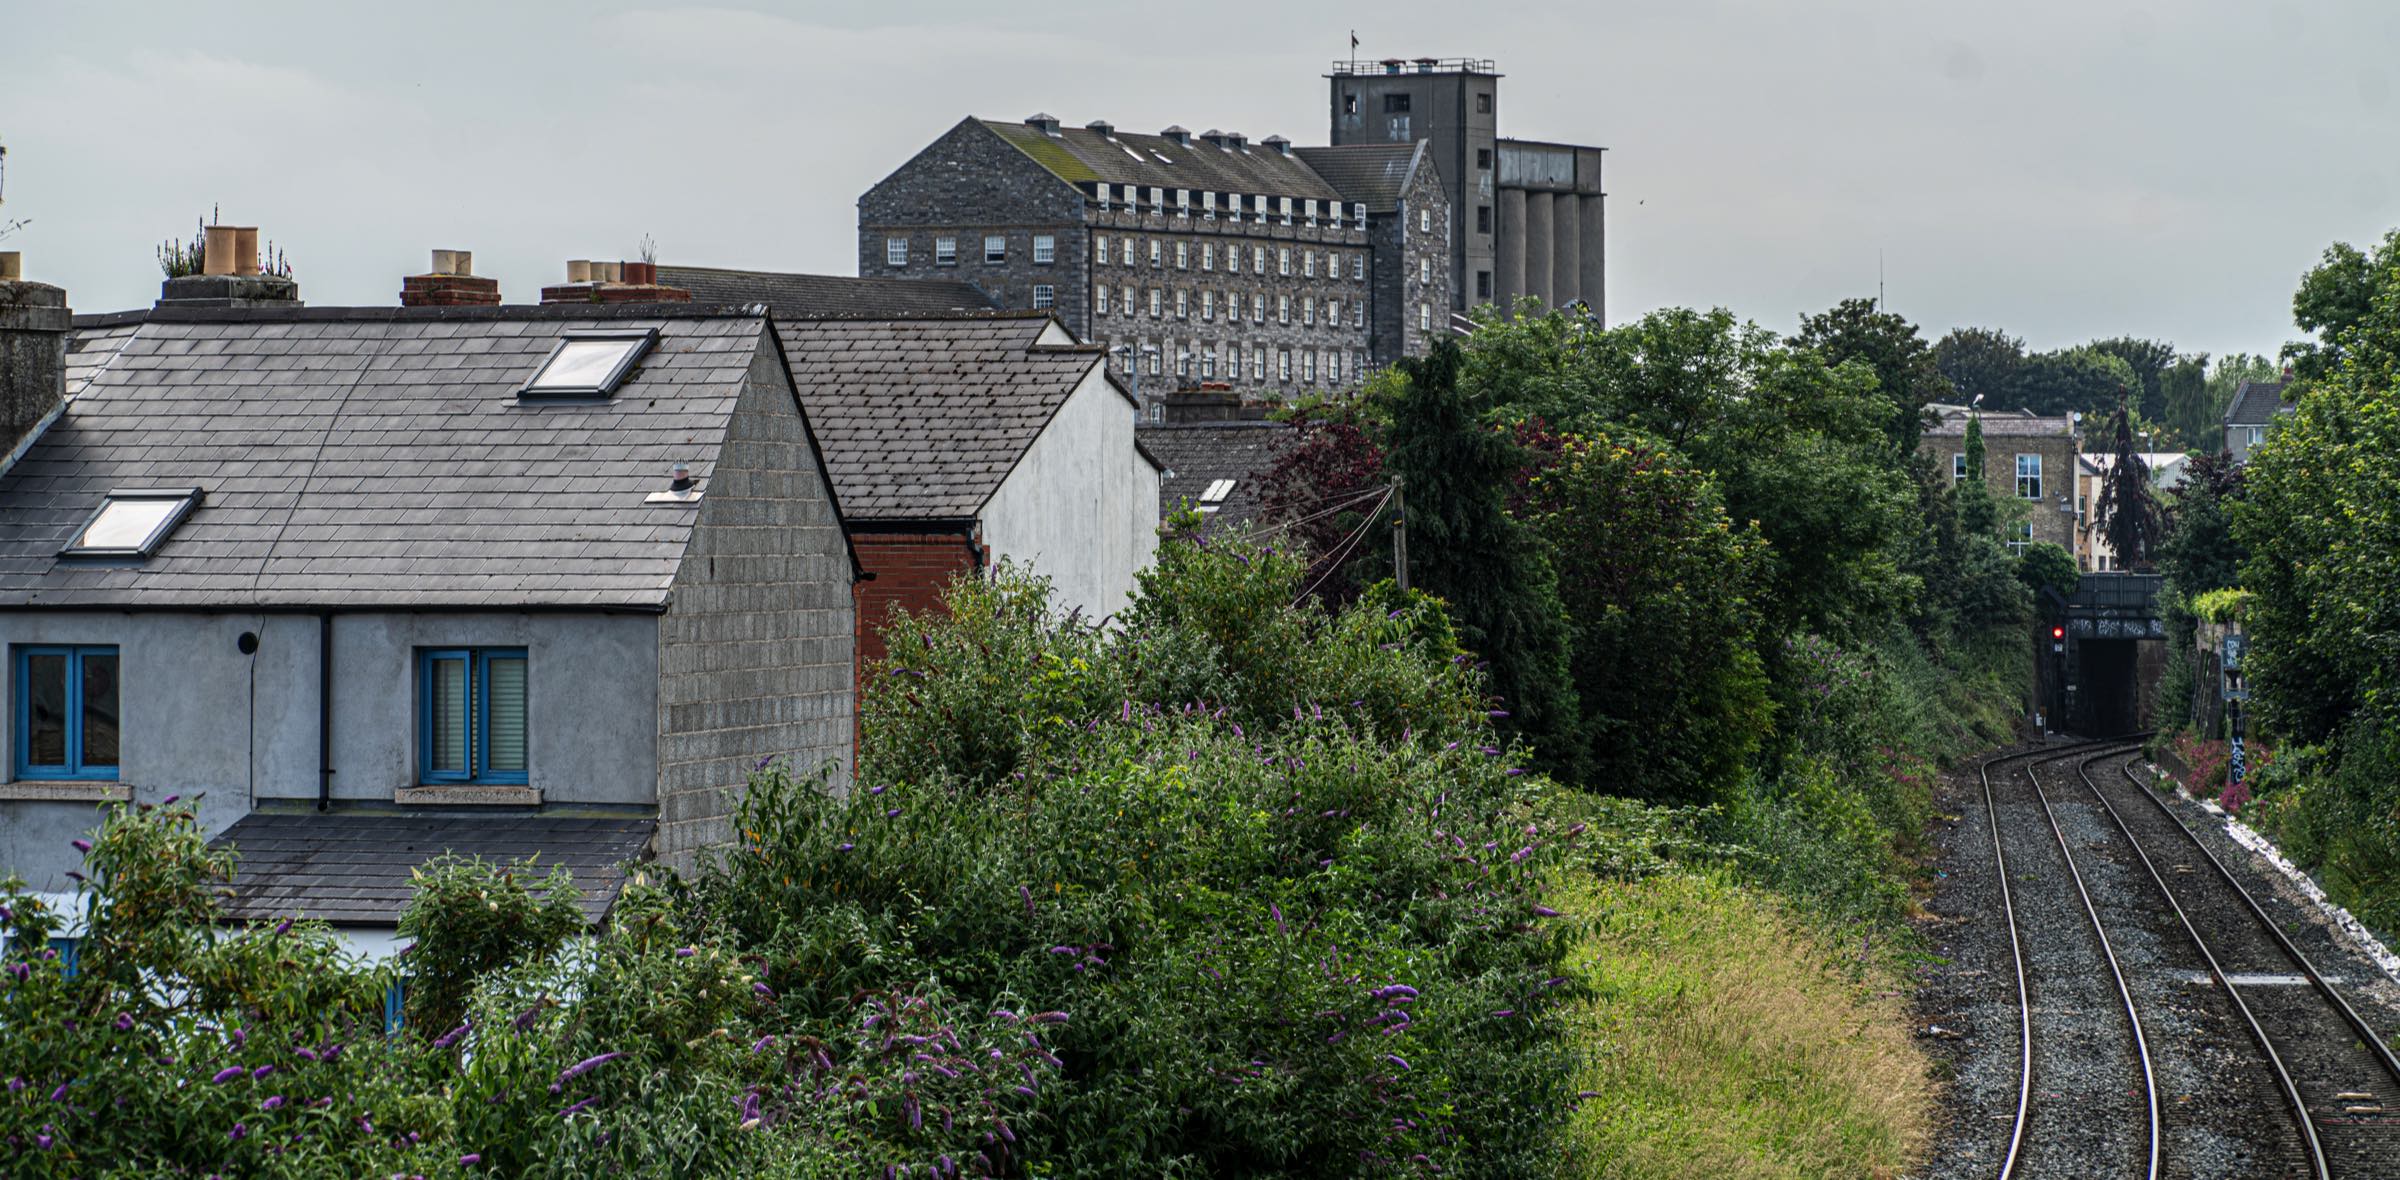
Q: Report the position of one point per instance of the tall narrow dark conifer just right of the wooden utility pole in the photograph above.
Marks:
(1468, 550)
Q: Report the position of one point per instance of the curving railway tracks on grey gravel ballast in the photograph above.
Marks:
(2089, 1092)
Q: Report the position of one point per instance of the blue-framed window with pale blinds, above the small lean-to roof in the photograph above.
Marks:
(472, 716)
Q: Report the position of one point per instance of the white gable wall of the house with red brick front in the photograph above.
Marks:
(1074, 522)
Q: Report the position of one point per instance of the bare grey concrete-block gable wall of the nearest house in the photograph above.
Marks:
(755, 654)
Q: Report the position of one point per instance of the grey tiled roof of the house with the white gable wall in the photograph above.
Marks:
(923, 419)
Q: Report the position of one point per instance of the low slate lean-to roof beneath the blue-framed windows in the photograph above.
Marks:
(354, 869)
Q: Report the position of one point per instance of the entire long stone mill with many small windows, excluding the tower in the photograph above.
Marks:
(1189, 258)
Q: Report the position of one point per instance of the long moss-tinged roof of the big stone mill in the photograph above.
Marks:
(1081, 157)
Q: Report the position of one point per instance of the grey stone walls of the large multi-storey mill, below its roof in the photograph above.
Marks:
(1302, 282)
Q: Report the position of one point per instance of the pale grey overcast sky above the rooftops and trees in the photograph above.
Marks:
(2053, 169)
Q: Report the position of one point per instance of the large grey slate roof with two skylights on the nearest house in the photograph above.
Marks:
(378, 457)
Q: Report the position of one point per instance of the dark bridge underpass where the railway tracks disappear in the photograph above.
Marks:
(2101, 651)
